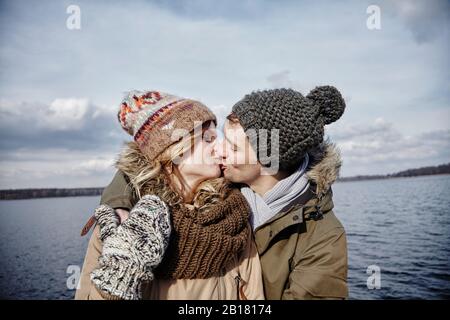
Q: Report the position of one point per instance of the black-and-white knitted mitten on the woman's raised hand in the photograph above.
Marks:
(131, 250)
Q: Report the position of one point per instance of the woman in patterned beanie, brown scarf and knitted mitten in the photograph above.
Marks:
(188, 237)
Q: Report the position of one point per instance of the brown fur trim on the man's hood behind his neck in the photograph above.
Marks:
(326, 171)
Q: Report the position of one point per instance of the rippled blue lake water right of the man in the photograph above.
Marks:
(403, 227)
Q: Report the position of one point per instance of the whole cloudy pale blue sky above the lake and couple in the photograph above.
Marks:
(60, 87)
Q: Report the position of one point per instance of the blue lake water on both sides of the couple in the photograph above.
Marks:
(401, 226)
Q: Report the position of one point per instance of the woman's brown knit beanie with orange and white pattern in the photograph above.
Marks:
(152, 117)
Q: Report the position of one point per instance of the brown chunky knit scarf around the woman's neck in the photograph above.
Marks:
(202, 243)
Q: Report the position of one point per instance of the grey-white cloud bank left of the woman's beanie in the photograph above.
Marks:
(74, 122)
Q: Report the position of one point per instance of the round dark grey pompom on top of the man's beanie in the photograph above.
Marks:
(330, 102)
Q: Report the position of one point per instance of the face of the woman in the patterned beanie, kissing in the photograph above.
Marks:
(201, 163)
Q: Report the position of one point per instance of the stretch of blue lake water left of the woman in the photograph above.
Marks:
(39, 239)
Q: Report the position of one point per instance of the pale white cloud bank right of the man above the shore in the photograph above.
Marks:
(379, 148)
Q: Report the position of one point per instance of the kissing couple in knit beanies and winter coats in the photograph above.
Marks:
(250, 217)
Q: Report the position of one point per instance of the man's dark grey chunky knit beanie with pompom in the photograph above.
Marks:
(300, 120)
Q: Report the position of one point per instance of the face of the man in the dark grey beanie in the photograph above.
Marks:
(238, 159)
